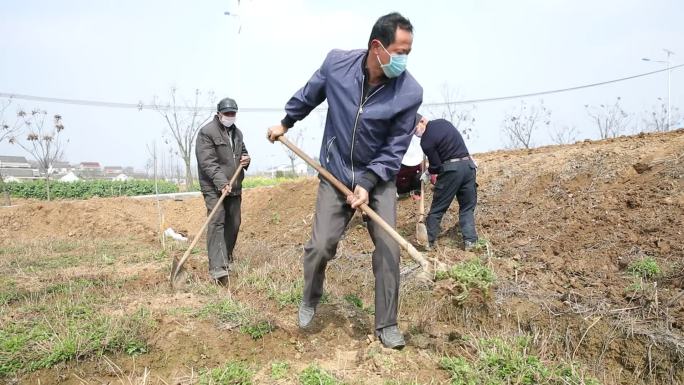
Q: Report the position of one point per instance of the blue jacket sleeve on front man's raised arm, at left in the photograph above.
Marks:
(308, 97)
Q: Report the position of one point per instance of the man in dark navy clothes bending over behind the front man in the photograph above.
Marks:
(456, 177)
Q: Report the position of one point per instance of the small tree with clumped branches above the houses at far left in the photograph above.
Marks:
(43, 141)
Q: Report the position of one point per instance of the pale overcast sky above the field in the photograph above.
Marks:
(129, 51)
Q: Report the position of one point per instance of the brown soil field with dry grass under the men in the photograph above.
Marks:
(563, 224)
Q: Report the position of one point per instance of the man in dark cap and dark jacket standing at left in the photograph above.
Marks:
(220, 149)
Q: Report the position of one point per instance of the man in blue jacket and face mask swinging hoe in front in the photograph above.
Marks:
(372, 105)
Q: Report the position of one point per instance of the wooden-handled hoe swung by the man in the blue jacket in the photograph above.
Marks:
(424, 262)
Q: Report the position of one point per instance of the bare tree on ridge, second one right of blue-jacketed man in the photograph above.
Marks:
(520, 124)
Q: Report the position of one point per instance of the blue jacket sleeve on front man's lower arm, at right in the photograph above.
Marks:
(387, 161)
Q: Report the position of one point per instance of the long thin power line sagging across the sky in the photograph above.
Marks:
(145, 106)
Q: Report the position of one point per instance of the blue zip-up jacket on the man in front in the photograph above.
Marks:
(364, 140)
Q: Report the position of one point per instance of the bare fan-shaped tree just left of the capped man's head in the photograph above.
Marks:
(184, 119)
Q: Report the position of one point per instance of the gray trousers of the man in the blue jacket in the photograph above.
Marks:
(330, 220)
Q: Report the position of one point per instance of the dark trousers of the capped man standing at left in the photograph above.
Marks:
(222, 232)
